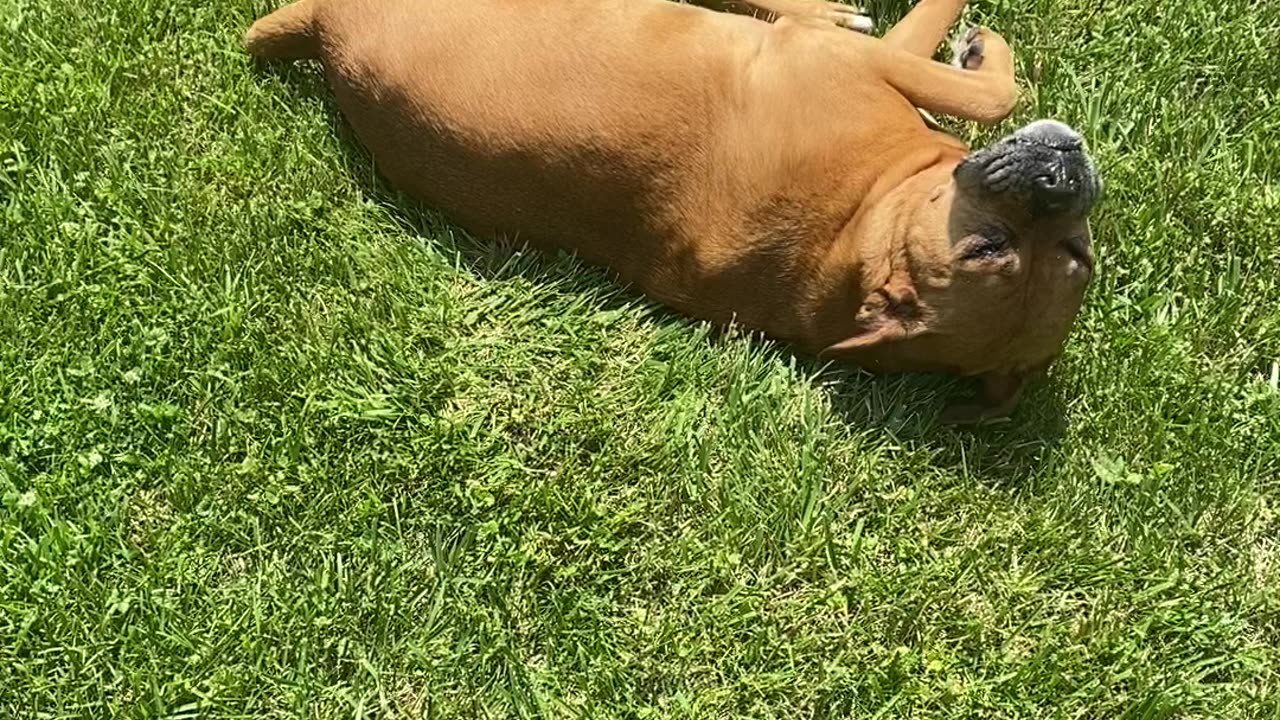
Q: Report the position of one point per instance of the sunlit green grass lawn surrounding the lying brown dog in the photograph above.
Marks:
(276, 443)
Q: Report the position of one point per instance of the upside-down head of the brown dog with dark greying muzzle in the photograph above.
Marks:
(993, 268)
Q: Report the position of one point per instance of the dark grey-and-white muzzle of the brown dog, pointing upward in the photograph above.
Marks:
(1045, 165)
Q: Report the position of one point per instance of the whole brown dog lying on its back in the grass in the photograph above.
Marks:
(774, 175)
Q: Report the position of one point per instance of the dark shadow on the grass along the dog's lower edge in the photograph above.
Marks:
(906, 407)
